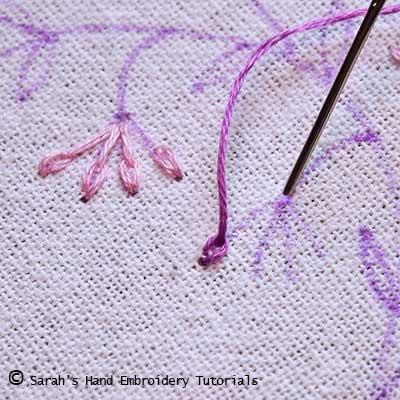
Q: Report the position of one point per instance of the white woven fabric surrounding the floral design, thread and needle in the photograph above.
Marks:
(113, 287)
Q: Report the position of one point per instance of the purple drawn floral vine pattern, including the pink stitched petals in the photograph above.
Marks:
(283, 209)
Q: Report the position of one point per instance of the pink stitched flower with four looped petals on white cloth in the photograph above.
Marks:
(118, 131)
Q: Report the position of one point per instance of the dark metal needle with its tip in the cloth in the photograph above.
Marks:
(333, 96)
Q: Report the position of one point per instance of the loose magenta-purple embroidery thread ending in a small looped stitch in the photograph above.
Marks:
(217, 246)
